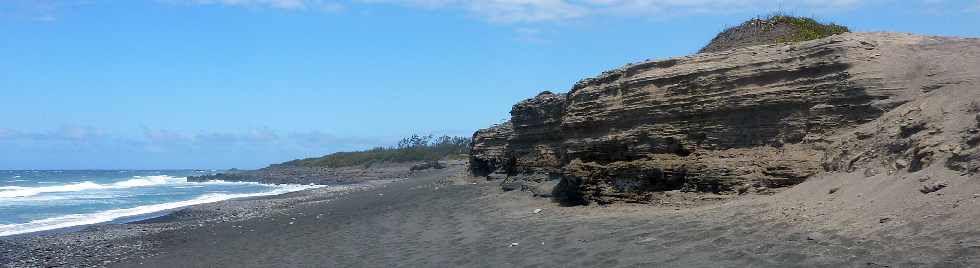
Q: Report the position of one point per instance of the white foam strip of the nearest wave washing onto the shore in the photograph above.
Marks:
(109, 215)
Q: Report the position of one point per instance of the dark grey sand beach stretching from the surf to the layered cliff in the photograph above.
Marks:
(437, 219)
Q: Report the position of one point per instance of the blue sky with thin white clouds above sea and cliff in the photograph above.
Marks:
(166, 84)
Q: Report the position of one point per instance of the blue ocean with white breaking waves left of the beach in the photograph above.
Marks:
(36, 200)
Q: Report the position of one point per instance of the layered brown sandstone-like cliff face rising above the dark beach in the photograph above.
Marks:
(745, 119)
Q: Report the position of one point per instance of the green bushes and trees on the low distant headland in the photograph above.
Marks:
(414, 148)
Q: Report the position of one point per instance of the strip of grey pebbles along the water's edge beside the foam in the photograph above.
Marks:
(59, 247)
